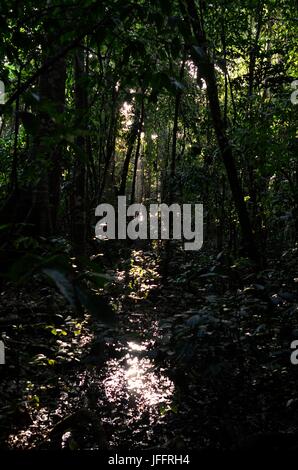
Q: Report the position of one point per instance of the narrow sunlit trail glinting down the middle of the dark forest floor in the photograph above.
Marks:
(133, 394)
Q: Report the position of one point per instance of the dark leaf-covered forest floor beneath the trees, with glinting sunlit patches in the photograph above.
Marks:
(199, 358)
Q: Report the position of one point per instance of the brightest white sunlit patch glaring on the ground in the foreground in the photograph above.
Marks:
(133, 385)
